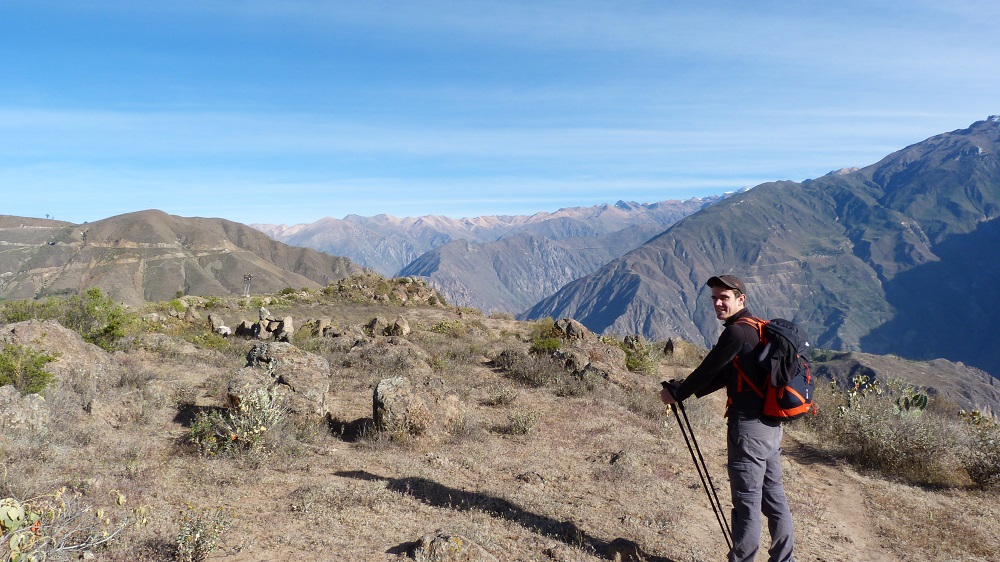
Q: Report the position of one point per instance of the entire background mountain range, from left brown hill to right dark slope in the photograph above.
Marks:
(897, 257)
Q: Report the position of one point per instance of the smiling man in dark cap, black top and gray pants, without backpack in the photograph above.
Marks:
(754, 442)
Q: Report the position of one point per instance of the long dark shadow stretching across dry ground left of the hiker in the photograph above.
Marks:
(438, 495)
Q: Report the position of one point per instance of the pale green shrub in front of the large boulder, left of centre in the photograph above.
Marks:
(240, 429)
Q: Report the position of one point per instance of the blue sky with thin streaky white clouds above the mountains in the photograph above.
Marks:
(290, 111)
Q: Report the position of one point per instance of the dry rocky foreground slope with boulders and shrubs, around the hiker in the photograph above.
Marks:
(499, 453)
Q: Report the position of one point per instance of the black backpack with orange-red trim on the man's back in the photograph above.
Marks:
(787, 388)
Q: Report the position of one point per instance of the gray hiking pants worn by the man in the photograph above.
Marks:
(755, 479)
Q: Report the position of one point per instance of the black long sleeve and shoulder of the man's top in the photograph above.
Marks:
(717, 368)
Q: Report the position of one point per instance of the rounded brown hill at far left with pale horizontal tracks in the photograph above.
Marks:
(152, 256)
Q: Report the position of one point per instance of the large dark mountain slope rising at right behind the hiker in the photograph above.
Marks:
(864, 259)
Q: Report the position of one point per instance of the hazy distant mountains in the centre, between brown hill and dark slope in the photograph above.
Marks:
(501, 263)
